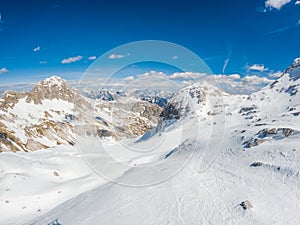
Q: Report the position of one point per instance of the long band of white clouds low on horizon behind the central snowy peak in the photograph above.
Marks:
(231, 83)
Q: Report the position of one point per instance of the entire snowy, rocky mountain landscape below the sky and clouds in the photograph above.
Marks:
(202, 157)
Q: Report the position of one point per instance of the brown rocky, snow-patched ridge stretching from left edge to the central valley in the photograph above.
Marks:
(48, 115)
